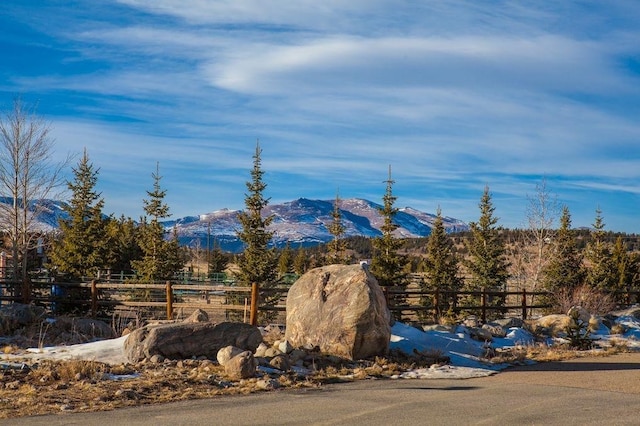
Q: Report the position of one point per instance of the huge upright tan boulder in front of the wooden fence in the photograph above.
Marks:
(339, 309)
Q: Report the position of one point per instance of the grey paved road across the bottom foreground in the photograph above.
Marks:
(577, 392)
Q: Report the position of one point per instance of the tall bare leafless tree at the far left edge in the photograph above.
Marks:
(28, 176)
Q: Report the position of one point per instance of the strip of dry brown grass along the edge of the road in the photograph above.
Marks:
(78, 386)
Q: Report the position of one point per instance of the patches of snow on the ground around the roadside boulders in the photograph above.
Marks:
(465, 353)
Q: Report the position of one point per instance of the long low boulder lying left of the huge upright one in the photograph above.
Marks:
(188, 340)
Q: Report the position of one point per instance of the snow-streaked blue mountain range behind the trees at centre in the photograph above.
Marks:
(305, 222)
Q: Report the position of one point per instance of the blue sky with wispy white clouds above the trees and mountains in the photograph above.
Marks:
(454, 95)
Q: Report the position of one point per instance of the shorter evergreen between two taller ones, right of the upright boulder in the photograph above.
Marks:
(441, 265)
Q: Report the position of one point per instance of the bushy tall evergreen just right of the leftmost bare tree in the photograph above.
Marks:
(81, 251)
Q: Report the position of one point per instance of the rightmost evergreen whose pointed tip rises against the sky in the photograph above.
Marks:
(601, 272)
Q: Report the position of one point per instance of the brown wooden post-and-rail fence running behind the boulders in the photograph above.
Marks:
(172, 300)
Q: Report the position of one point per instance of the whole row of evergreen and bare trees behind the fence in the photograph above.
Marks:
(546, 255)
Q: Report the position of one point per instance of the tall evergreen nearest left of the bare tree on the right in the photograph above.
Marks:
(487, 263)
